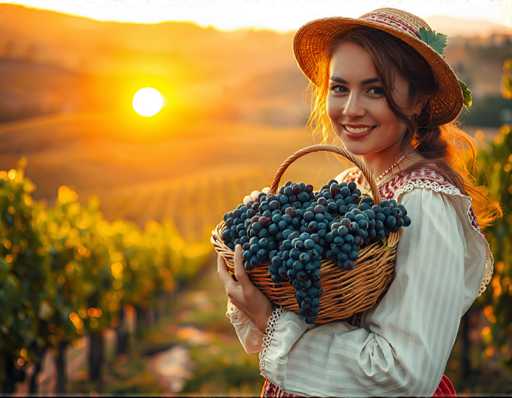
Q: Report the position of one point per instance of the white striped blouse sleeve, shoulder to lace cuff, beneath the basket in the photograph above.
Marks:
(407, 338)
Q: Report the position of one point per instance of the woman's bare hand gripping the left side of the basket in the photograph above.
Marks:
(242, 292)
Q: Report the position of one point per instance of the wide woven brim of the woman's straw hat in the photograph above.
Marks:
(312, 40)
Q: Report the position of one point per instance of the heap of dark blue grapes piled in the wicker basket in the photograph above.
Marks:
(294, 229)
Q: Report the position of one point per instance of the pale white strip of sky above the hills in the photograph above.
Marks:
(274, 14)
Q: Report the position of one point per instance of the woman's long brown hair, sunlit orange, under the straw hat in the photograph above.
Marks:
(446, 148)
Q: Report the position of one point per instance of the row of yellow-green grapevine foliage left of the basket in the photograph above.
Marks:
(65, 271)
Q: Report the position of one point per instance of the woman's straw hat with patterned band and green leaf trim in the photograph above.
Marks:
(313, 39)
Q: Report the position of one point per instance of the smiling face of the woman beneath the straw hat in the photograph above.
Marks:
(357, 106)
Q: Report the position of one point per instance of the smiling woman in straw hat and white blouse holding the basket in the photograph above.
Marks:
(381, 84)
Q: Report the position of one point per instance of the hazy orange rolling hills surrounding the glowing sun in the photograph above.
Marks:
(238, 107)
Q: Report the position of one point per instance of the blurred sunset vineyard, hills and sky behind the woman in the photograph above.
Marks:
(128, 129)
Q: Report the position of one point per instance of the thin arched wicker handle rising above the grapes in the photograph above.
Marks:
(329, 148)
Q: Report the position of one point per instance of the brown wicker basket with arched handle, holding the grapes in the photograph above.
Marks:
(346, 293)
